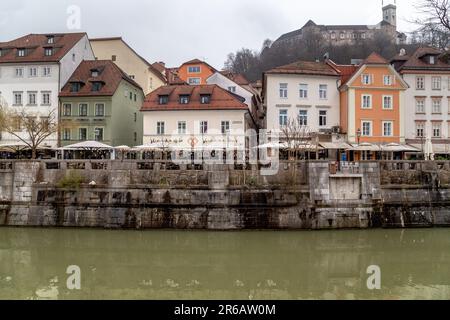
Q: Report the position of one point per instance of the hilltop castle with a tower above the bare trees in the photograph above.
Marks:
(350, 34)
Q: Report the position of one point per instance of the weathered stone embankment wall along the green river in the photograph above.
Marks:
(150, 195)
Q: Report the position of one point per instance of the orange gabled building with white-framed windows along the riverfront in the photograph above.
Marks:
(372, 102)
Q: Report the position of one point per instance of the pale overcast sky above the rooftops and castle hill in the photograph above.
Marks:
(178, 30)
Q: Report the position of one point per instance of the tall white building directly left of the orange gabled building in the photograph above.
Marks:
(306, 92)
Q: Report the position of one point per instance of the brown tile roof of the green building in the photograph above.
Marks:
(109, 74)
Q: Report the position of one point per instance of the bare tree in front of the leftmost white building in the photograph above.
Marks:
(32, 130)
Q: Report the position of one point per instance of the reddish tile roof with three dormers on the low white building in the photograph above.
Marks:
(220, 99)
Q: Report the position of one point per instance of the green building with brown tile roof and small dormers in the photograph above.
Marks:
(100, 102)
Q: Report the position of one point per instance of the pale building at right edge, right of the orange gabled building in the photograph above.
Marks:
(427, 115)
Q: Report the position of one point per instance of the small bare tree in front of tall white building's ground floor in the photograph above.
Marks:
(297, 138)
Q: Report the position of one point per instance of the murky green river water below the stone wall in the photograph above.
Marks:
(229, 265)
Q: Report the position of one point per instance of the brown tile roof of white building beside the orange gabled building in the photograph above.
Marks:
(305, 67)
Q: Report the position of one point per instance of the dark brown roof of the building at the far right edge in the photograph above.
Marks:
(415, 62)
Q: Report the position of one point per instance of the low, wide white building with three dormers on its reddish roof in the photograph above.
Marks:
(196, 116)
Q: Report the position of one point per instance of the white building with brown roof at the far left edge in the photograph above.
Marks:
(34, 68)
